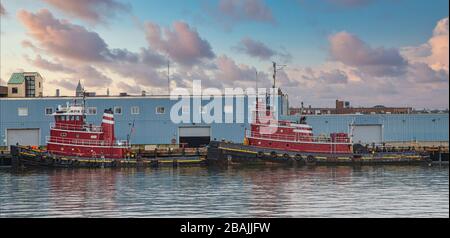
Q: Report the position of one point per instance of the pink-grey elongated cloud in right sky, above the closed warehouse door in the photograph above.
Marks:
(350, 50)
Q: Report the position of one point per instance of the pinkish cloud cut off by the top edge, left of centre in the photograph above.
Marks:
(93, 11)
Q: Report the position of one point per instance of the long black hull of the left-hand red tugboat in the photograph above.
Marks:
(23, 157)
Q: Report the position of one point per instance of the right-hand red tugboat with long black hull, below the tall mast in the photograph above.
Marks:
(271, 141)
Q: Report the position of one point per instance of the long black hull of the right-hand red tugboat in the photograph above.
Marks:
(231, 153)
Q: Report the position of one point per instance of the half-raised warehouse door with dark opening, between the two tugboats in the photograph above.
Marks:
(194, 137)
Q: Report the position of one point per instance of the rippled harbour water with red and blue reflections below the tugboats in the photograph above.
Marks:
(382, 191)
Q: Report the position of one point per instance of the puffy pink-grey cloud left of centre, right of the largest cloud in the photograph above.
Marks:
(182, 44)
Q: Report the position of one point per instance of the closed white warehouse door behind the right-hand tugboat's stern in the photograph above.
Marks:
(368, 134)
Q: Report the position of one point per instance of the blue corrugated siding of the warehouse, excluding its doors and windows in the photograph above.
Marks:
(152, 128)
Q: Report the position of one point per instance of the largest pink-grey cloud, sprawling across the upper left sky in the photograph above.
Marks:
(85, 51)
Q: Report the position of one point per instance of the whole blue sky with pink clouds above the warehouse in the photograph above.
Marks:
(384, 52)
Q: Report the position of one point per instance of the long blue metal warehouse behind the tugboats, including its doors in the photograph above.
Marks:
(27, 120)
